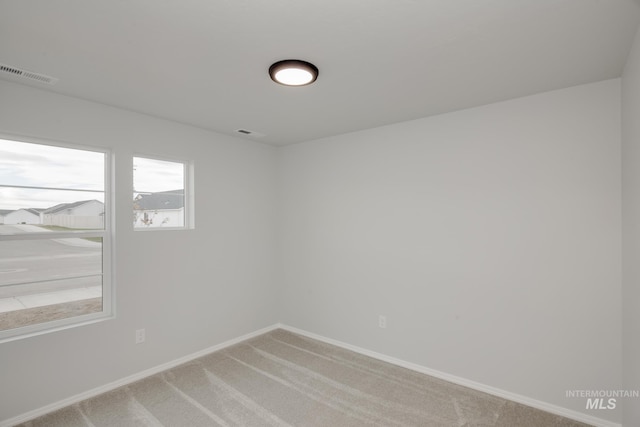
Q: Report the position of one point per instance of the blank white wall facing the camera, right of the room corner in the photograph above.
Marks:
(490, 238)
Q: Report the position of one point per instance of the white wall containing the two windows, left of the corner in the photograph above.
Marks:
(216, 283)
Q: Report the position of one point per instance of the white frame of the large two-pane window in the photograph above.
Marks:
(108, 252)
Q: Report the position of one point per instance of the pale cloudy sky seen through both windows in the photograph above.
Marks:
(65, 175)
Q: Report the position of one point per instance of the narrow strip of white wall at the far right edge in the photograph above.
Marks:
(631, 230)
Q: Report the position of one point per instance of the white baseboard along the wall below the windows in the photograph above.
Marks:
(130, 379)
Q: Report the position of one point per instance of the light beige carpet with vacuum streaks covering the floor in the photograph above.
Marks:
(283, 379)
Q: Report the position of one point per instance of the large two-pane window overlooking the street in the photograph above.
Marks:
(55, 240)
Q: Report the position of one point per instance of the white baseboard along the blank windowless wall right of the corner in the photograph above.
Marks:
(544, 406)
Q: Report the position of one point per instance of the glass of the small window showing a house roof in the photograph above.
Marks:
(158, 193)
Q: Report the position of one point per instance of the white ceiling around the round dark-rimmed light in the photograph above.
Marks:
(205, 62)
